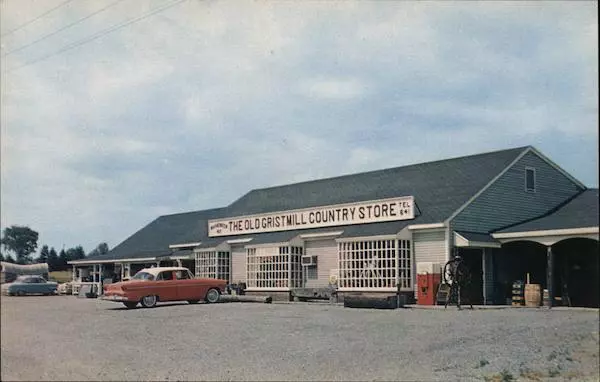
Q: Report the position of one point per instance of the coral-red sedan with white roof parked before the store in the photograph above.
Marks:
(151, 285)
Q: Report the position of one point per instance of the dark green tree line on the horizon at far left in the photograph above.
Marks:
(22, 241)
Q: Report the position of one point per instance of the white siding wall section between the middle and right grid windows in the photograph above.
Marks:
(326, 252)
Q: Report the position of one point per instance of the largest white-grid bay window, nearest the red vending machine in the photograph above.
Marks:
(374, 264)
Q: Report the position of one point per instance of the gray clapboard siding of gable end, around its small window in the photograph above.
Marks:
(506, 202)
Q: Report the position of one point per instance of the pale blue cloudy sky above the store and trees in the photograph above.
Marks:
(116, 112)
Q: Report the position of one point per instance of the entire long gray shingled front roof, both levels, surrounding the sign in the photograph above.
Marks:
(439, 188)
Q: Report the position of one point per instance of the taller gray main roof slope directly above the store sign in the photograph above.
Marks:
(439, 187)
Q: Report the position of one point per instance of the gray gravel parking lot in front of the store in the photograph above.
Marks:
(65, 338)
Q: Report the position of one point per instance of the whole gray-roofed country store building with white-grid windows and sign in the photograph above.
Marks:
(367, 232)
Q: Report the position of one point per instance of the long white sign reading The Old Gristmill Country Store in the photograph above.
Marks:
(317, 217)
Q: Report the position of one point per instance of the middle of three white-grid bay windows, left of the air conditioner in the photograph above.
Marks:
(274, 267)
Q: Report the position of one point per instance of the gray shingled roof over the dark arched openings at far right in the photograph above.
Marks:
(580, 212)
